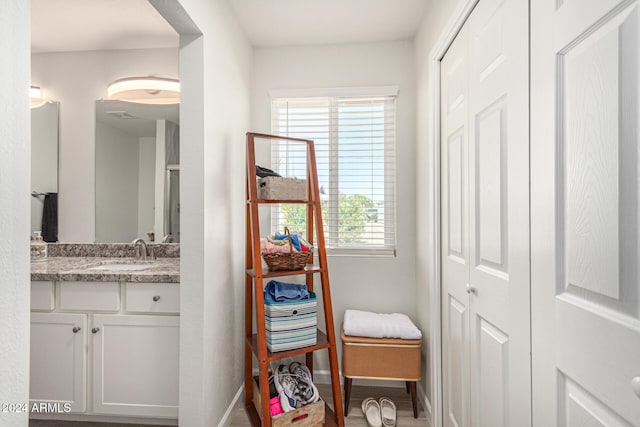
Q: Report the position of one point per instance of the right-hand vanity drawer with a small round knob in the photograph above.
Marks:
(152, 297)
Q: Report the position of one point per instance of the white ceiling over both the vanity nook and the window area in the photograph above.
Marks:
(77, 25)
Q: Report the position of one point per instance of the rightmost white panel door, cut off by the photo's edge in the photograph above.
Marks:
(585, 219)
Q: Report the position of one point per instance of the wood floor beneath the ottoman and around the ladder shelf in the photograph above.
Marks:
(355, 417)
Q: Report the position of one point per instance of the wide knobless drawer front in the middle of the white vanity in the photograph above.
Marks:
(89, 296)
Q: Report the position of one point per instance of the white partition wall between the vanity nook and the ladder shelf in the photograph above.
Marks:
(215, 70)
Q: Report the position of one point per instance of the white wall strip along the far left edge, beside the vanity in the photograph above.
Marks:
(14, 209)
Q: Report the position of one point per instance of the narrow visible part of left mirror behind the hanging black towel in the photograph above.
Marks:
(44, 160)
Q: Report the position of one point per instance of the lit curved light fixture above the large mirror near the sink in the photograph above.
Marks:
(145, 90)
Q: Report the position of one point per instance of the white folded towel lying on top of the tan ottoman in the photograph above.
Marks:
(373, 325)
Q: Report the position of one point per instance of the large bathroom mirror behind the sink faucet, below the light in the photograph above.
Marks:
(137, 172)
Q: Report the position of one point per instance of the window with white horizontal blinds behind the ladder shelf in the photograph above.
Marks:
(354, 139)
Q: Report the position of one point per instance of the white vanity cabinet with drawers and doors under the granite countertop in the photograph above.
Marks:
(106, 348)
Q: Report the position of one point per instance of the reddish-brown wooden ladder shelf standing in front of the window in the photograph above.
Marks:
(256, 343)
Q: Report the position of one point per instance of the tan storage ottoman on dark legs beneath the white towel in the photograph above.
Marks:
(381, 359)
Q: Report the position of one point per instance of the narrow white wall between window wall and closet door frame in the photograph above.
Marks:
(437, 21)
